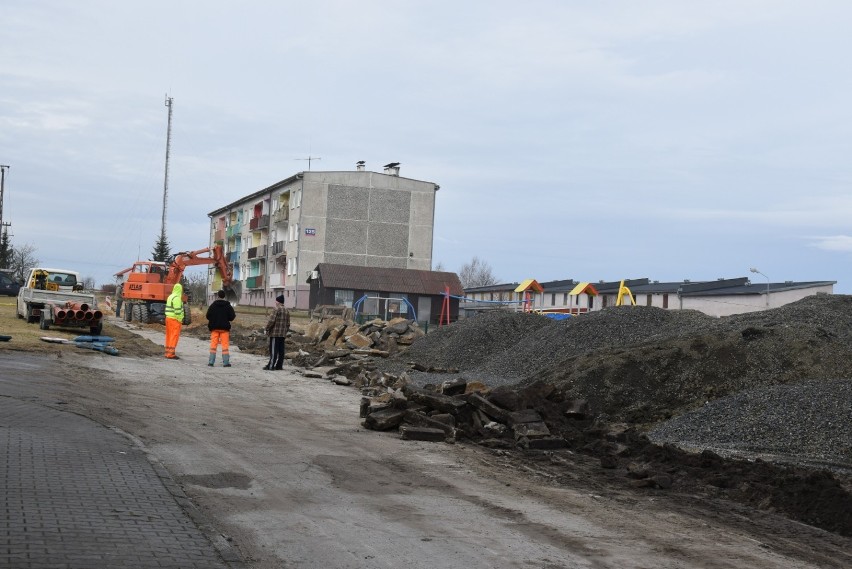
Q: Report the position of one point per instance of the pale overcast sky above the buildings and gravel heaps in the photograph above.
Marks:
(666, 139)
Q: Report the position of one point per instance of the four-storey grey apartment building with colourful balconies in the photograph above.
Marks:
(276, 236)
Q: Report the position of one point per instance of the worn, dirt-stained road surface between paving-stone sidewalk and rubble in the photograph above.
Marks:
(283, 470)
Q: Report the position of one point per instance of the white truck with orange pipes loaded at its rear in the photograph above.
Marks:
(55, 297)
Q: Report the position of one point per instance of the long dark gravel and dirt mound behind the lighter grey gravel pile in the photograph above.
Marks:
(645, 364)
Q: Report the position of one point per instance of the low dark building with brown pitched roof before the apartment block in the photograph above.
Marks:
(386, 292)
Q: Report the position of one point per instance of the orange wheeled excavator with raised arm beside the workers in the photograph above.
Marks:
(149, 283)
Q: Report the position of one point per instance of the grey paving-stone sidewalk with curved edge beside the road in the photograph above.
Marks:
(78, 495)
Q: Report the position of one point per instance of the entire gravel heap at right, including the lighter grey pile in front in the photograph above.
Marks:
(775, 381)
